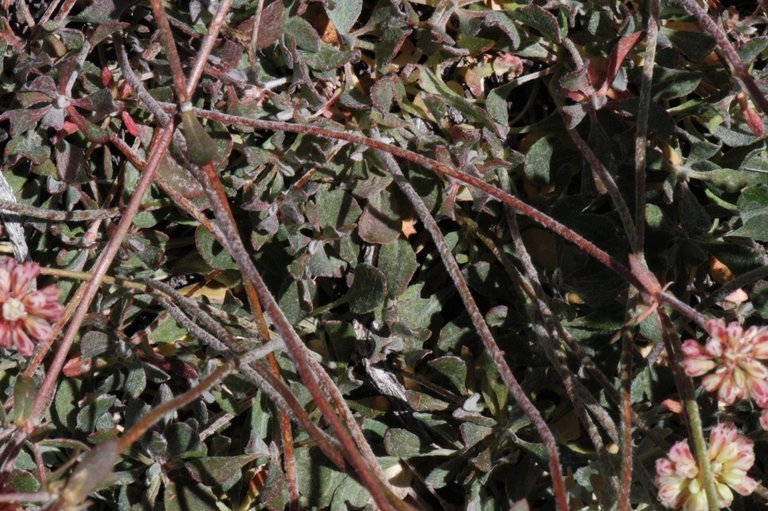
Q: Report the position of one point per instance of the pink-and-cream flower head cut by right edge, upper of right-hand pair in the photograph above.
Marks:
(731, 361)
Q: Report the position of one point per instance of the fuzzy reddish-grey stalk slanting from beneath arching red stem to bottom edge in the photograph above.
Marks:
(491, 348)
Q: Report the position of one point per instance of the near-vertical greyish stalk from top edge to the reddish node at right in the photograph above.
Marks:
(641, 130)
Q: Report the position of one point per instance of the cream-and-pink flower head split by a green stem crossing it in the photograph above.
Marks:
(731, 455)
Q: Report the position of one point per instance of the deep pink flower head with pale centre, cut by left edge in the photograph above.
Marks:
(26, 314)
